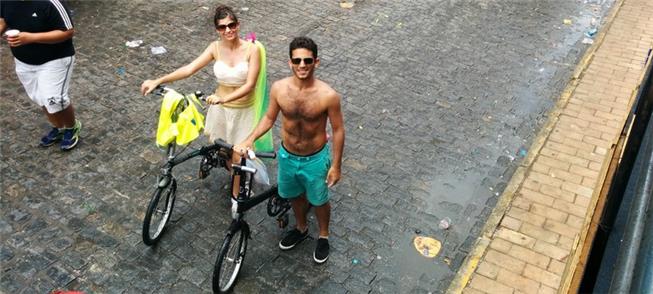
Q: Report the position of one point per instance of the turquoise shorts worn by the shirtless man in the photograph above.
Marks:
(304, 175)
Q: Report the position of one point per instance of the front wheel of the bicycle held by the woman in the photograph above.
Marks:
(152, 235)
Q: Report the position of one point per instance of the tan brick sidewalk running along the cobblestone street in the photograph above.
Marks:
(532, 240)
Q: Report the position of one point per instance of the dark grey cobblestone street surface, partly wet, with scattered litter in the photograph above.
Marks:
(441, 100)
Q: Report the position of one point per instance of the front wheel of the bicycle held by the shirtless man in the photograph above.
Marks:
(229, 261)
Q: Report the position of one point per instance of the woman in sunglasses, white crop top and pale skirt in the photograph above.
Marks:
(237, 62)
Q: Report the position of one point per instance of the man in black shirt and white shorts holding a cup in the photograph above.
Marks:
(40, 36)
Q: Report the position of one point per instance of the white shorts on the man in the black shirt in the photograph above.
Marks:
(47, 84)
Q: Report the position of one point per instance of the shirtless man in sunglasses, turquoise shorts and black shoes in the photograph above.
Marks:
(305, 167)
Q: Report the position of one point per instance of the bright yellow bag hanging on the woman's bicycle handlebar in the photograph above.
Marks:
(181, 127)
